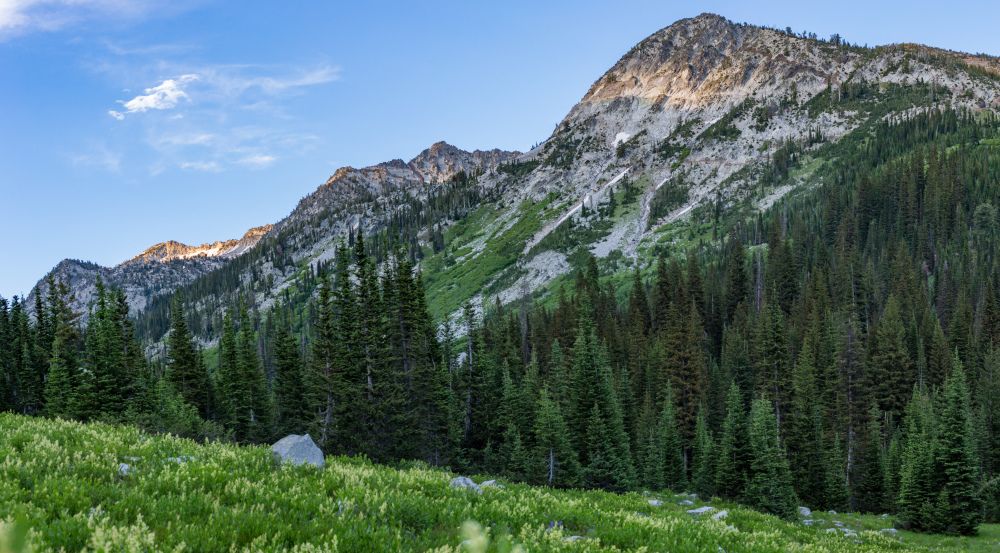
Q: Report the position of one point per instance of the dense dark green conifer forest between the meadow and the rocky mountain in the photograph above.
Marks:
(841, 351)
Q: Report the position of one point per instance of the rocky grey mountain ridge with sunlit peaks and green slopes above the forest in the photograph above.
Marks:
(697, 123)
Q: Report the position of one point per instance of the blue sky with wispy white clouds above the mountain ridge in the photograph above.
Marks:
(127, 123)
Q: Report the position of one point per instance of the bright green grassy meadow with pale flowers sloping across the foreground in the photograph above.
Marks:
(60, 484)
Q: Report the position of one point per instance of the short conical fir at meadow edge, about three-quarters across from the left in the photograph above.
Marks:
(770, 486)
